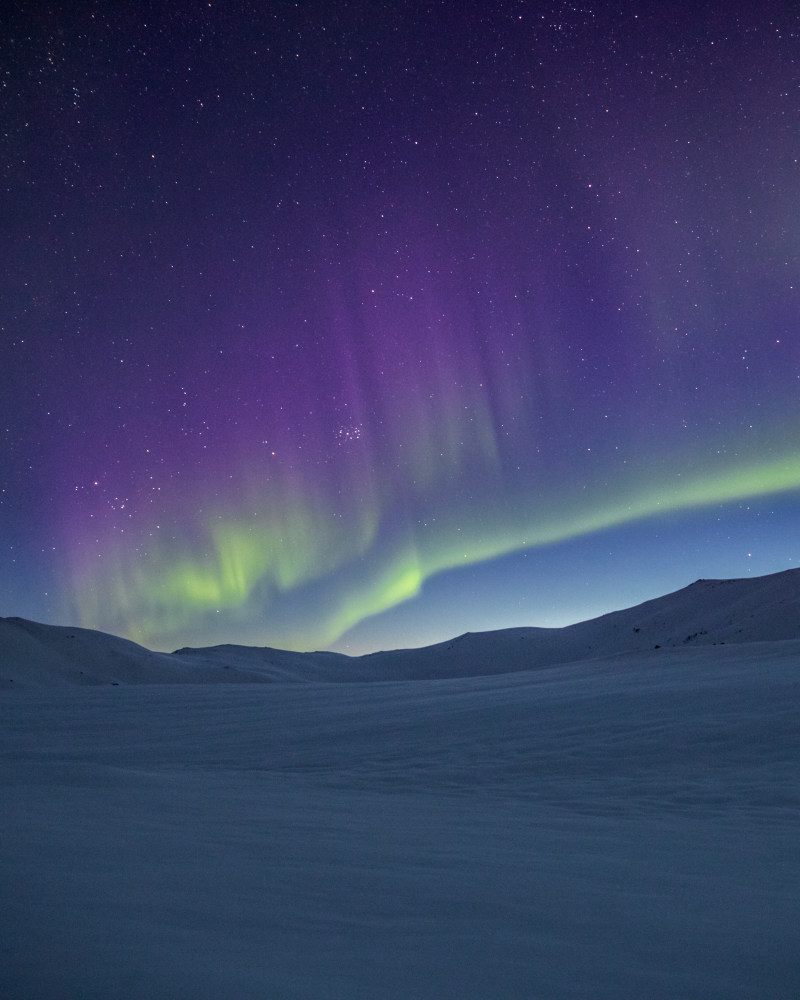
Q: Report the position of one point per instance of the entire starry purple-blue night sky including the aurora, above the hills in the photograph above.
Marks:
(358, 325)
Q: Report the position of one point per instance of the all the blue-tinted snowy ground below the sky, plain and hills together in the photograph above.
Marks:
(610, 810)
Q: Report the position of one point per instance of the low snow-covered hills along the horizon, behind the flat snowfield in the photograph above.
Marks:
(760, 609)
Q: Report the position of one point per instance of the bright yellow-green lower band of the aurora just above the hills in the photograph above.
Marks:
(236, 570)
